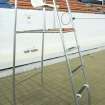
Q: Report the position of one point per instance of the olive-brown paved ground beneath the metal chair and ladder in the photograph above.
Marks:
(56, 89)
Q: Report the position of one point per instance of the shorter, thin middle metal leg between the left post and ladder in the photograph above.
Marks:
(42, 55)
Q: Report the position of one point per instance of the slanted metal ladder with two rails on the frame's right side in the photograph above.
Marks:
(85, 87)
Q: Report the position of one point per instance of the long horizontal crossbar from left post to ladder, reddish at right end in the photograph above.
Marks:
(56, 30)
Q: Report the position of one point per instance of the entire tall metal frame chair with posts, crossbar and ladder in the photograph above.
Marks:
(78, 93)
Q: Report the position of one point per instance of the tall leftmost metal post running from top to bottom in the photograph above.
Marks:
(14, 54)
